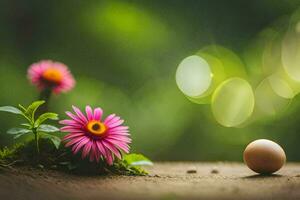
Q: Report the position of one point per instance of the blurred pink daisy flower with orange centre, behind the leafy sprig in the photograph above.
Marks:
(51, 74)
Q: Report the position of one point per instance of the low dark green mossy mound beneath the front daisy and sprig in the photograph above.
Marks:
(63, 159)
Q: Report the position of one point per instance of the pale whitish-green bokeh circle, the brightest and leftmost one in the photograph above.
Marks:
(193, 76)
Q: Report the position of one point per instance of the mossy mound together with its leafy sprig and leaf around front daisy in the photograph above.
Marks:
(52, 154)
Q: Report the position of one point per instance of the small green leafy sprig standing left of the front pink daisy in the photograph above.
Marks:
(34, 124)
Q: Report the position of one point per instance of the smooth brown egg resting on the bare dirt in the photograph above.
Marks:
(264, 156)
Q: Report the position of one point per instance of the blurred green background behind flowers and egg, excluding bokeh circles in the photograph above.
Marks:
(124, 55)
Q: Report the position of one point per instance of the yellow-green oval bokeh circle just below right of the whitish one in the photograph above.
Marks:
(233, 102)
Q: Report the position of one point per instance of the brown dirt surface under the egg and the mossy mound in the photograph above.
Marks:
(166, 181)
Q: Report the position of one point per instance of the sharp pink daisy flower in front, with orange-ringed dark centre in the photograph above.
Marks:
(96, 138)
